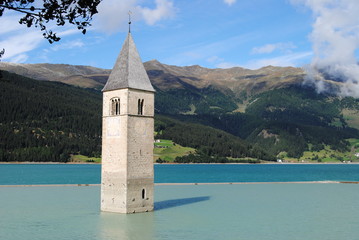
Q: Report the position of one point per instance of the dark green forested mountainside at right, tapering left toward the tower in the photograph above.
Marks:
(290, 120)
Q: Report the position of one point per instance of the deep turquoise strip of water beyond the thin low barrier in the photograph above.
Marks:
(28, 174)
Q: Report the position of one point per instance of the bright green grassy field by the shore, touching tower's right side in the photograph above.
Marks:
(168, 150)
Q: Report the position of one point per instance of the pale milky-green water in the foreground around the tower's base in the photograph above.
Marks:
(245, 212)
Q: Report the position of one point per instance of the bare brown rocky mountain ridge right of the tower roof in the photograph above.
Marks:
(236, 80)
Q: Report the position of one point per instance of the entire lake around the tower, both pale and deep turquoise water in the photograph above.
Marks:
(265, 211)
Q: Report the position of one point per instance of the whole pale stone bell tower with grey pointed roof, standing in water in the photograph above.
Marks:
(127, 135)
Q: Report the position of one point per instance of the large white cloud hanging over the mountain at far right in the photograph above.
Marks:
(335, 40)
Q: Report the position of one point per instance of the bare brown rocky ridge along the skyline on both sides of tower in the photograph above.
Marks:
(165, 77)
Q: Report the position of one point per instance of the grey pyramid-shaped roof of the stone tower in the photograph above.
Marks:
(128, 71)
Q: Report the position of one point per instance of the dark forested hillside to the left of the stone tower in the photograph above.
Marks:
(47, 121)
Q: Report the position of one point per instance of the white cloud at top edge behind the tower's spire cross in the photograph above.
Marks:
(113, 14)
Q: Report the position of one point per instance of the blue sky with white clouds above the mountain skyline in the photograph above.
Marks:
(210, 33)
